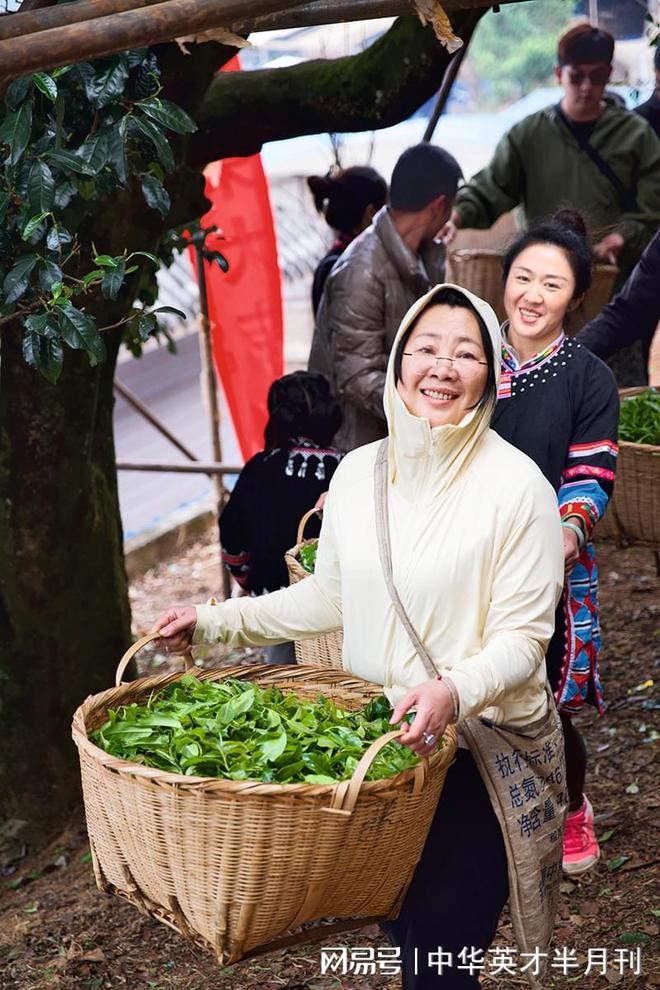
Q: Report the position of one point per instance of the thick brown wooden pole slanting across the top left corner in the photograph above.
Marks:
(119, 32)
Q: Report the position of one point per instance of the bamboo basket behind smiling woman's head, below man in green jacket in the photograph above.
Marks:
(480, 271)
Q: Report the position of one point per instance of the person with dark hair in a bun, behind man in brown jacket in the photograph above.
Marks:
(348, 200)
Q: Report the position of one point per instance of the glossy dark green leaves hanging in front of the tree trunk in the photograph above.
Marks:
(73, 137)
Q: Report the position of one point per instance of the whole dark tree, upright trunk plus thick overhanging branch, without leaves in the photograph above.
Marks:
(64, 612)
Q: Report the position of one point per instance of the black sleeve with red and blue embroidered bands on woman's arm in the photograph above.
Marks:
(588, 476)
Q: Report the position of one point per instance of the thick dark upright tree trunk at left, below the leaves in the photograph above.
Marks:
(64, 613)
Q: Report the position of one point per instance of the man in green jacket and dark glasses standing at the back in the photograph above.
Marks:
(585, 152)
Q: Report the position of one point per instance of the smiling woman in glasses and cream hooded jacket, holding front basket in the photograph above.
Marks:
(477, 562)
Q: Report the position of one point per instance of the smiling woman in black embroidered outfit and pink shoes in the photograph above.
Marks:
(559, 404)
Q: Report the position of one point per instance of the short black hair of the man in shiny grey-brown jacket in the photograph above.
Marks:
(421, 174)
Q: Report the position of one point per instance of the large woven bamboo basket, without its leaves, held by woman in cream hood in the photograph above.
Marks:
(239, 866)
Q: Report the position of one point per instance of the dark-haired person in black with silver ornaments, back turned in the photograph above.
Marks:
(278, 485)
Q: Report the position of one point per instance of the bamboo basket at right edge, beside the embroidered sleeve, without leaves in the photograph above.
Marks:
(633, 515)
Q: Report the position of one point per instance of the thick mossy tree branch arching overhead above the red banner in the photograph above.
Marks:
(376, 88)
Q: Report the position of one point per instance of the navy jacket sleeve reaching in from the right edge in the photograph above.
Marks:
(633, 314)
